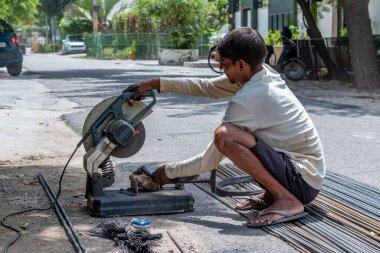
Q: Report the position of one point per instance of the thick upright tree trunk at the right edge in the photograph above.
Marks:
(362, 46)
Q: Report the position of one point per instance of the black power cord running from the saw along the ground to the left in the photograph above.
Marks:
(19, 233)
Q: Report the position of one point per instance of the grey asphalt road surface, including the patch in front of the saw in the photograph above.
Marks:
(181, 126)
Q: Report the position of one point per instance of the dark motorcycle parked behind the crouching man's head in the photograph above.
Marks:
(288, 63)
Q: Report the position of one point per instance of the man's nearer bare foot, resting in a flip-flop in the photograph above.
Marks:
(292, 206)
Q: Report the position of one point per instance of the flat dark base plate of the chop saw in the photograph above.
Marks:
(124, 203)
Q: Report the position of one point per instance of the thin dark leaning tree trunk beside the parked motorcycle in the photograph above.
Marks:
(314, 33)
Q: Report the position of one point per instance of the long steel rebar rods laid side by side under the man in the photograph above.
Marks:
(344, 217)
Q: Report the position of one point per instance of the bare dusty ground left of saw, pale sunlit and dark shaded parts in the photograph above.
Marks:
(35, 140)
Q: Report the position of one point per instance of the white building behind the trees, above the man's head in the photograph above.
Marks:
(279, 13)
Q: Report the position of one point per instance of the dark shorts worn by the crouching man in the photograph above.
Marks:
(284, 171)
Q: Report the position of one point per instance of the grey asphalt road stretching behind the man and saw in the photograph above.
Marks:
(182, 126)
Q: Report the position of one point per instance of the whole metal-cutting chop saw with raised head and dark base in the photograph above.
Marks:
(113, 128)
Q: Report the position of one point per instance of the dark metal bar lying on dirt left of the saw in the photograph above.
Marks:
(63, 218)
